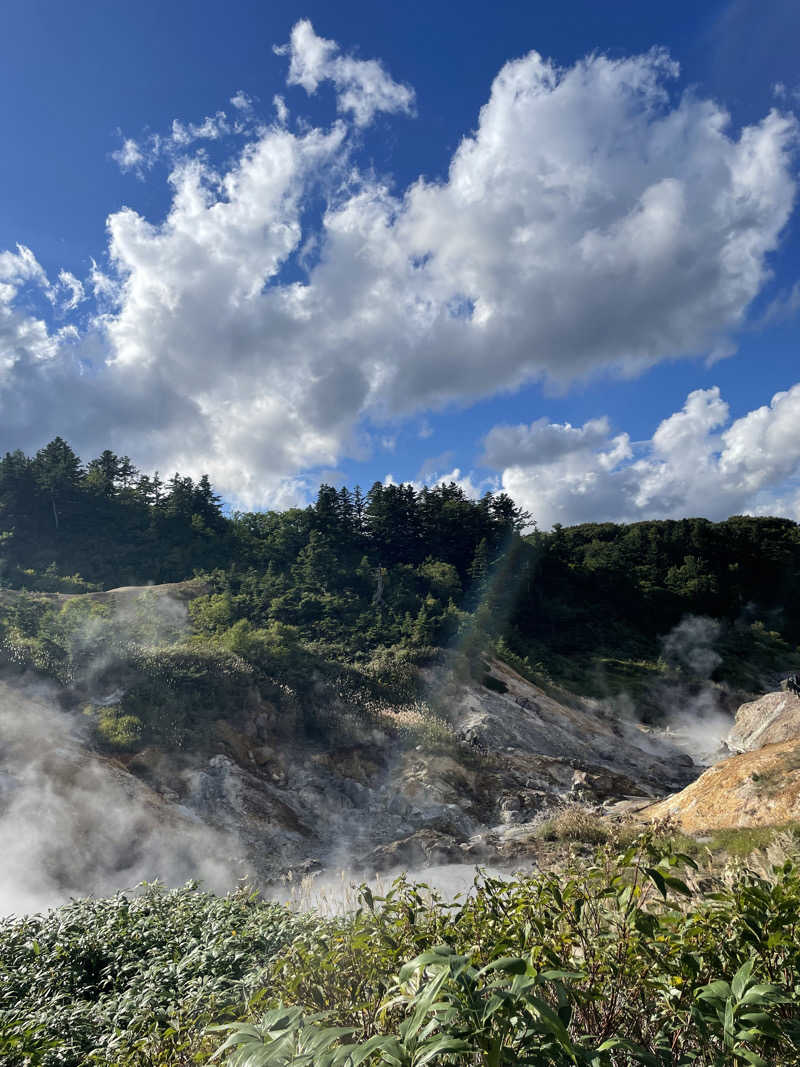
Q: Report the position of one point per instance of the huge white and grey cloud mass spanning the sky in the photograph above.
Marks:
(593, 222)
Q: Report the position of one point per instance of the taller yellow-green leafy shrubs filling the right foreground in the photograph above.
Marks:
(610, 964)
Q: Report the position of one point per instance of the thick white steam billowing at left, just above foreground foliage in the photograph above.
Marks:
(76, 824)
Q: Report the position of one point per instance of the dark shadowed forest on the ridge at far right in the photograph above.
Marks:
(641, 580)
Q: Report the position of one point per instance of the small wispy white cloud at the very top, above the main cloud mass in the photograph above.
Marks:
(363, 87)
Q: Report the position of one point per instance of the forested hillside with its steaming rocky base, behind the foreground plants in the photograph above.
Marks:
(374, 682)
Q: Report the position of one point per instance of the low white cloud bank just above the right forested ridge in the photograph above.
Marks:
(693, 466)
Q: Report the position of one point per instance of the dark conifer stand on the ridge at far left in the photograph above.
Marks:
(68, 528)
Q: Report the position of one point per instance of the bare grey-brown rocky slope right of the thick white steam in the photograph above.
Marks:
(376, 805)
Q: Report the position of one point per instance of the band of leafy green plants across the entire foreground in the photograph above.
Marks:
(623, 961)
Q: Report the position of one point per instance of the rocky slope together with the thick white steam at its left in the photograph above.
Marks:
(258, 803)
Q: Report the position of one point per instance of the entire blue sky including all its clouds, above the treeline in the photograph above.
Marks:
(328, 263)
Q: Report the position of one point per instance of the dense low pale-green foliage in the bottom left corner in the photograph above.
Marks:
(101, 981)
